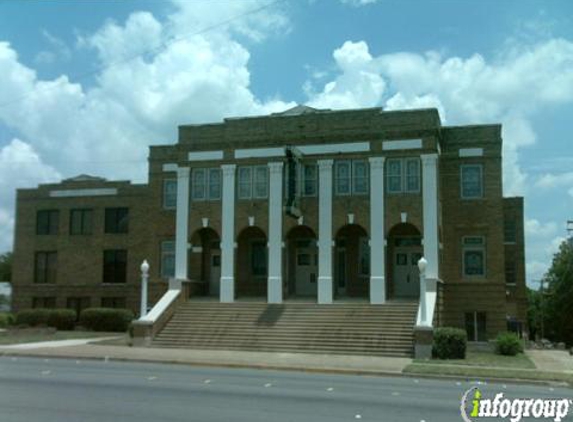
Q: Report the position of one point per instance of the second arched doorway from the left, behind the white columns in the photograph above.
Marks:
(252, 263)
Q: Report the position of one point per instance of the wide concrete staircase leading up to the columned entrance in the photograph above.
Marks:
(342, 328)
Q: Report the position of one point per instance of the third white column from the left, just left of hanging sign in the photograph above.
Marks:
(275, 281)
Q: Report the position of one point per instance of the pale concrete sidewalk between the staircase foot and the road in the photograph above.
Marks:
(373, 365)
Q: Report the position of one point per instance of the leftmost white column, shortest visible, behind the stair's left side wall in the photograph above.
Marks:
(182, 224)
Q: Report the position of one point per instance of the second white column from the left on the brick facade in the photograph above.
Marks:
(227, 284)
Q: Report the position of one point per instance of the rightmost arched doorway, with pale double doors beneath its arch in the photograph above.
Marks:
(404, 252)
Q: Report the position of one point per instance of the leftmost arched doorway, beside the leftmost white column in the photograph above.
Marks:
(205, 260)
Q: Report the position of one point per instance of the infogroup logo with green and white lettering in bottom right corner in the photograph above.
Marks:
(475, 407)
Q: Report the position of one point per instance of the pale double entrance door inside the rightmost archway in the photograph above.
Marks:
(406, 272)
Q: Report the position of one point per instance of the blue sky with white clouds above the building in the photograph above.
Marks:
(86, 86)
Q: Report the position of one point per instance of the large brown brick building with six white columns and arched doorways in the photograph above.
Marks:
(323, 205)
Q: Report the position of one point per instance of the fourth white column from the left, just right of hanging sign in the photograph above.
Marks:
(325, 232)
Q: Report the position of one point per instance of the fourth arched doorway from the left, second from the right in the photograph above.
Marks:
(351, 262)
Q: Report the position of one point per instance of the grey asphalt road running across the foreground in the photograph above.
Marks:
(57, 390)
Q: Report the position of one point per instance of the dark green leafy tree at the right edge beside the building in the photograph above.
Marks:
(558, 298)
